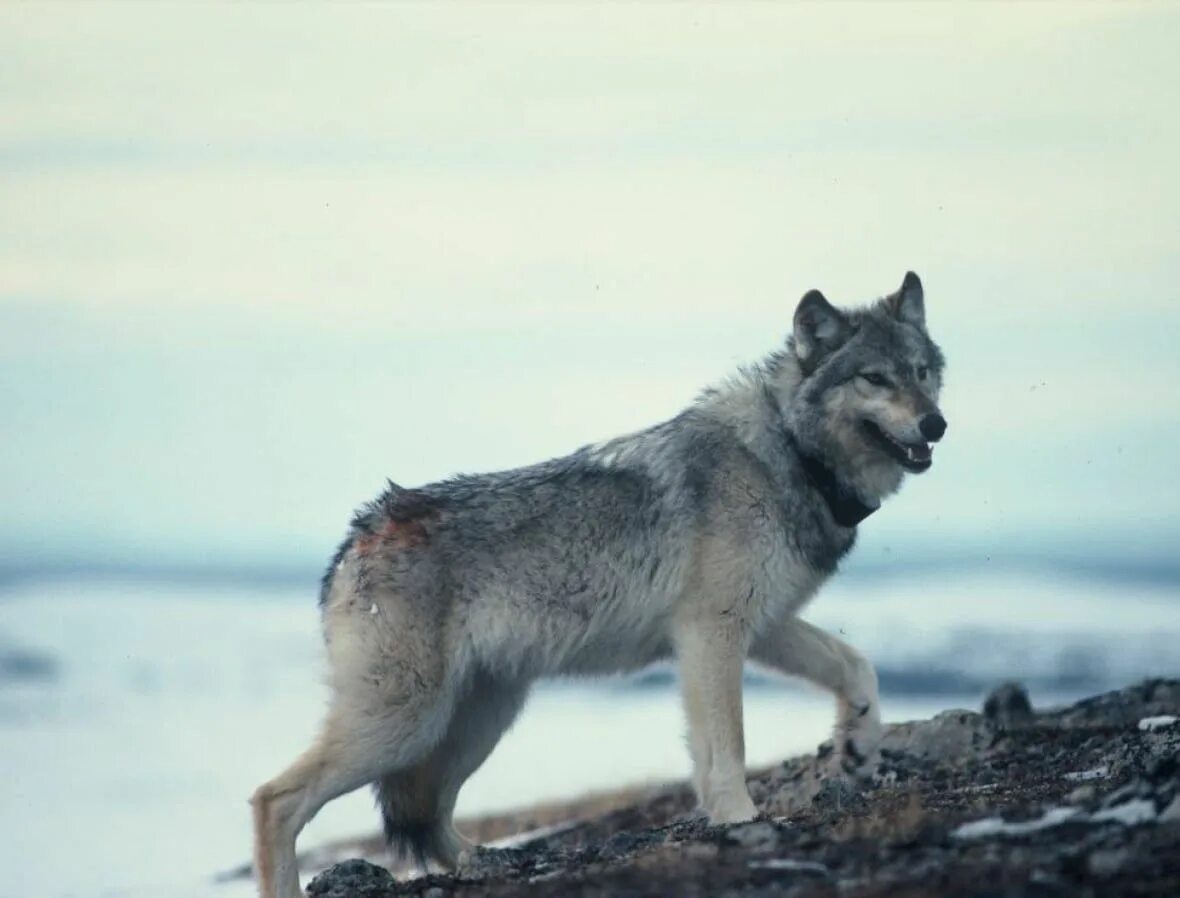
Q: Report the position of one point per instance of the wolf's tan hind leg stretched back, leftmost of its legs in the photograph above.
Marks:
(357, 745)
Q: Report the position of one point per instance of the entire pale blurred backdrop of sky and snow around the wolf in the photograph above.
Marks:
(253, 261)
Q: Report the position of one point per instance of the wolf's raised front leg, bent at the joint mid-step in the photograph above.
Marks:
(801, 650)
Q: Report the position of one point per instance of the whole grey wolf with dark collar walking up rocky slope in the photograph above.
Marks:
(698, 540)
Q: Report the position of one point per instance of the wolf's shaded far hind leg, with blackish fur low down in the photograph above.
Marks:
(418, 804)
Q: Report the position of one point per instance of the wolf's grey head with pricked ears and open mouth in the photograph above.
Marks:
(868, 398)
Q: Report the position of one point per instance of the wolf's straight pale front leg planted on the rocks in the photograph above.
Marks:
(711, 666)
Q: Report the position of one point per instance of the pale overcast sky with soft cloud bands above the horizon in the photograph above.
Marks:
(257, 259)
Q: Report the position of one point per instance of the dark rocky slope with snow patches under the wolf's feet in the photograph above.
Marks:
(1077, 802)
